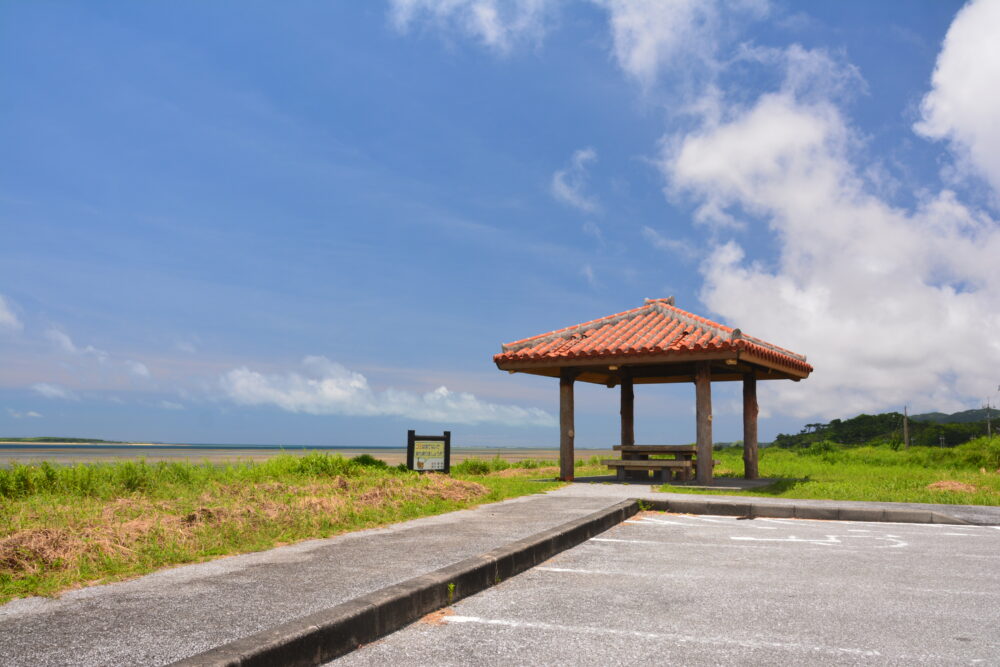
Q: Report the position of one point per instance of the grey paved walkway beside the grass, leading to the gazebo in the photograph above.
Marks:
(179, 612)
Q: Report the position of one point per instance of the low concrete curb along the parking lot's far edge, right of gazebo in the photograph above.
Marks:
(826, 513)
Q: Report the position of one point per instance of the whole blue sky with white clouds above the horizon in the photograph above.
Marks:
(297, 222)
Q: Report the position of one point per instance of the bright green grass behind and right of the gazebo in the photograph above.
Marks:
(835, 472)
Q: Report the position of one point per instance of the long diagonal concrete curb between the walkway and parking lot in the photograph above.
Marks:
(330, 633)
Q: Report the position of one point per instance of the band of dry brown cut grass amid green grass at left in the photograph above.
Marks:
(119, 527)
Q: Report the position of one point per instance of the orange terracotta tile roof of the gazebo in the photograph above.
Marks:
(657, 328)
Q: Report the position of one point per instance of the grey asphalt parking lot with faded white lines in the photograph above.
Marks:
(681, 589)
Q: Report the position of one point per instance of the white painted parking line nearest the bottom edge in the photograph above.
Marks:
(753, 643)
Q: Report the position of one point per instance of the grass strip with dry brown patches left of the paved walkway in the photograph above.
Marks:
(63, 527)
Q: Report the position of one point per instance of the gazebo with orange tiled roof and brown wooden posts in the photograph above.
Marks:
(655, 343)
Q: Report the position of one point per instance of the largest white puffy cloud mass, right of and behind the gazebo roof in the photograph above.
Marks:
(892, 306)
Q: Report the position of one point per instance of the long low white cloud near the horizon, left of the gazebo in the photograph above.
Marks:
(327, 388)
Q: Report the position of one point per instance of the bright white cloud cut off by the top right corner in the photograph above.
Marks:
(963, 104)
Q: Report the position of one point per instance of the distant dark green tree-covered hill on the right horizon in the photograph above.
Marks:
(929, 430)
